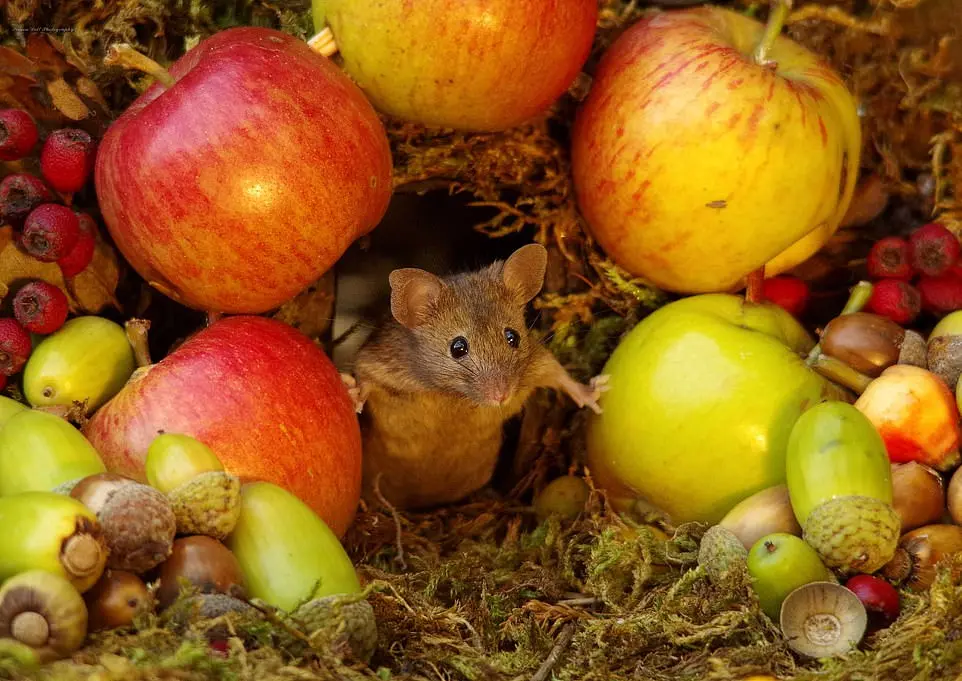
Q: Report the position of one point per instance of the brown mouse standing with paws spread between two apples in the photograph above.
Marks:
(435, 383)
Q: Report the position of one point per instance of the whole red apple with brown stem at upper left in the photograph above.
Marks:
(243, 181)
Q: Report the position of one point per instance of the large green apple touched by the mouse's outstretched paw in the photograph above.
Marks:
(703, 394)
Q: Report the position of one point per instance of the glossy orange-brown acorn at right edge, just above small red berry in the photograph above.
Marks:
(918, 553)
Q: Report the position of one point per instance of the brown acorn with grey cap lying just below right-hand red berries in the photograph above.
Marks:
(870, 343)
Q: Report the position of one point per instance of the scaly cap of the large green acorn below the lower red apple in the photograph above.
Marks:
(350, 623)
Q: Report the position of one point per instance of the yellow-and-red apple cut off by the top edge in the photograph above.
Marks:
(479, 65)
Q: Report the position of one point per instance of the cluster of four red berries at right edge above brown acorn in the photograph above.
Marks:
(920, 273)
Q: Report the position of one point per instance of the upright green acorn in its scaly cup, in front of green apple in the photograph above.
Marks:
(840, 483)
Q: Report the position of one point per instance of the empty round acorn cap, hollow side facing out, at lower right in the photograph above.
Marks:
(822, 619)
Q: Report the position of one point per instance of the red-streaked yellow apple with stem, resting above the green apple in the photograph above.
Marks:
(694, 165)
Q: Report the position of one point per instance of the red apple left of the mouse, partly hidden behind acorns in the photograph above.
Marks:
(262, 396)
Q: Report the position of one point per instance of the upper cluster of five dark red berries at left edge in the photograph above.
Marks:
(46, 228)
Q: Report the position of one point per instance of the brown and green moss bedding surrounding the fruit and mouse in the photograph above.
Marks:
(483, 590)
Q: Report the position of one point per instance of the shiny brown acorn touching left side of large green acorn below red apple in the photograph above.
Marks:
(203, 562)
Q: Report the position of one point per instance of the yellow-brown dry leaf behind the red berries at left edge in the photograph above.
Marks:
(90, 291)
